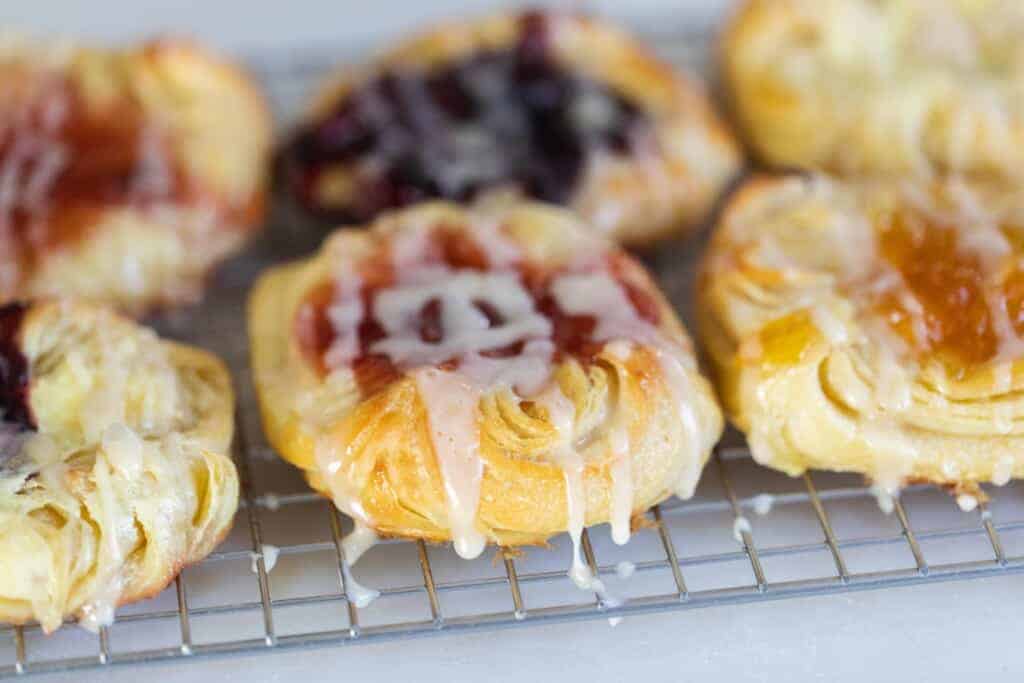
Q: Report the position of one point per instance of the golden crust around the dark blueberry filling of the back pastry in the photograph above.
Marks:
(636, 201)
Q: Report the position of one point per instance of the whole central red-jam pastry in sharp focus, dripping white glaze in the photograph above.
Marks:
(488, 375)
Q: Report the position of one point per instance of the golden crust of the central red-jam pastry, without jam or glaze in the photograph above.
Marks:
(386, 471)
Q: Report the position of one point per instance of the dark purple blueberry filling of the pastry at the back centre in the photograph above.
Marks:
(514, 117)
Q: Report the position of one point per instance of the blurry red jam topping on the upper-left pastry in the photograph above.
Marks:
(62, 161)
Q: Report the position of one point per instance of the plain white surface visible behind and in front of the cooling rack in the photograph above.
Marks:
(938, 633)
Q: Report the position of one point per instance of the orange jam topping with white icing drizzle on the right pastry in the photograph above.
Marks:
(935, 283)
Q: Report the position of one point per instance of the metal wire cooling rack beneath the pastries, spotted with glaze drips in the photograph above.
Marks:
(749, 535)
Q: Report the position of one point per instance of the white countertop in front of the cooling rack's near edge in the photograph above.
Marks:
(947, 632)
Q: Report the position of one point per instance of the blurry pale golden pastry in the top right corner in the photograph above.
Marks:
(881, 87)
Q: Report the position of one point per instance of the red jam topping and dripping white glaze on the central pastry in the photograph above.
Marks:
(464, 317)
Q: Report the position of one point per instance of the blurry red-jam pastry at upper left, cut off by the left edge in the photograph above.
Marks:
(124, 175)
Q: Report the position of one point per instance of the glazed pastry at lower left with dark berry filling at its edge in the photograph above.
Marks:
(114, 473)
